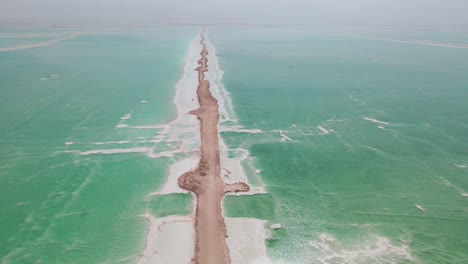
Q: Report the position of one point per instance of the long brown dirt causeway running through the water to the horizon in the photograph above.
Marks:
(205, 180)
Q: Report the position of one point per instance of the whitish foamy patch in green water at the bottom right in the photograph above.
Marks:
(327, 250)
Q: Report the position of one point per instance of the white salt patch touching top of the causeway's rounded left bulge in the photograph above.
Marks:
(175, 171)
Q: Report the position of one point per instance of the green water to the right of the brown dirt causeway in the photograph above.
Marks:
(296, 81)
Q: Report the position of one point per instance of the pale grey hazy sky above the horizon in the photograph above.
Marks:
(432, 13)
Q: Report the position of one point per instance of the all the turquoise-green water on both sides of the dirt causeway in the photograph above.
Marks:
(366, 192)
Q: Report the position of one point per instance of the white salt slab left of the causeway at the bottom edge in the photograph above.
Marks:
(169, 240)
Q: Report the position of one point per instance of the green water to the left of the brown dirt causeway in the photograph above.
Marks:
(60, 207)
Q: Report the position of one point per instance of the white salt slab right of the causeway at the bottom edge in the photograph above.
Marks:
(246, 240)
